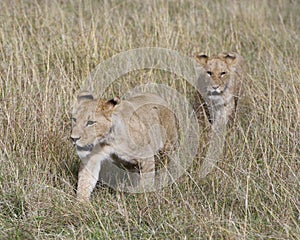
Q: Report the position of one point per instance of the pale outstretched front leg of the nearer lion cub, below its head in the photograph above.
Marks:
(87, 178)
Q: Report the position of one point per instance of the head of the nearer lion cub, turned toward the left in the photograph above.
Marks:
(91, 121)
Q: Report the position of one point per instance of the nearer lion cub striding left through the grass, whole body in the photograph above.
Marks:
(127, 133)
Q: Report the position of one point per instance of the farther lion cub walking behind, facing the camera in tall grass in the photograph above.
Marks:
(225, 73)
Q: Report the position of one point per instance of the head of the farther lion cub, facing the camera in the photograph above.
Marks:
(219, 69)
